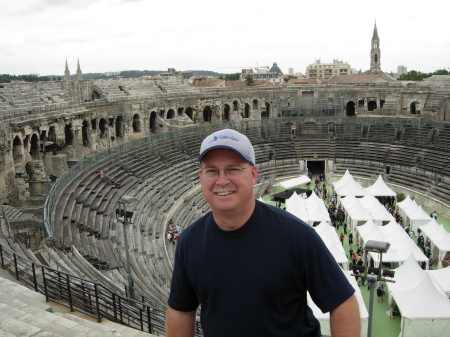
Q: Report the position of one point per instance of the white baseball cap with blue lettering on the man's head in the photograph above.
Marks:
(228, 139)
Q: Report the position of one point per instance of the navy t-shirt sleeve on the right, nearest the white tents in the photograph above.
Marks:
(325, 279)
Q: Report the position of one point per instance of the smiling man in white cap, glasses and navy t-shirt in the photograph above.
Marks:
(249, 265)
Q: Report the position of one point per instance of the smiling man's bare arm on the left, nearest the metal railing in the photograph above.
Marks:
(180, 323)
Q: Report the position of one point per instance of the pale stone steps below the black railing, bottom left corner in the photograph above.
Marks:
(24, 312)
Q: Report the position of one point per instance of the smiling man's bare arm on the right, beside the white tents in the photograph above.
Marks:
(345, 319)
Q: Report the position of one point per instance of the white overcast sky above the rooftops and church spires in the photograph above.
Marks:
(36, 36)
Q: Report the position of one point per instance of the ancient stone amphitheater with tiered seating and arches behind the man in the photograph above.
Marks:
(72, 149)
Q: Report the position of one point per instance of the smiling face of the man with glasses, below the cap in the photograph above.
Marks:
(231, 190)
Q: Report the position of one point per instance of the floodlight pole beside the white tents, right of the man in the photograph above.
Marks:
(373, 275)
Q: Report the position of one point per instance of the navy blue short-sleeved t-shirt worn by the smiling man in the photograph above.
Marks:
(252, 281)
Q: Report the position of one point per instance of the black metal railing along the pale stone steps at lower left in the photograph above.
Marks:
(82, 295)
